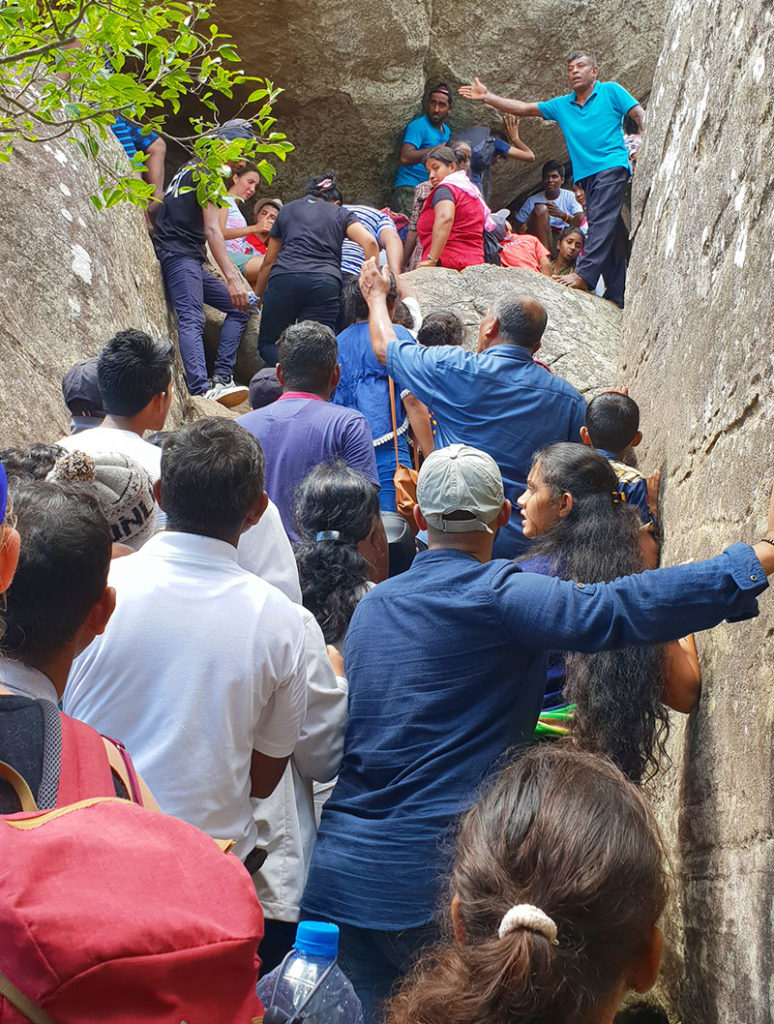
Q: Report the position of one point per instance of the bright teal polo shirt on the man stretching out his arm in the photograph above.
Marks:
(594, 133)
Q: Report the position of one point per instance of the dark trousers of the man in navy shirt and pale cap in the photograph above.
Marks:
(376, 961)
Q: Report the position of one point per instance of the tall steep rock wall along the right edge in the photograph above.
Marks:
(699, 361)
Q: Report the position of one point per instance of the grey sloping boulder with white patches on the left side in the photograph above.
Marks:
(73, 277)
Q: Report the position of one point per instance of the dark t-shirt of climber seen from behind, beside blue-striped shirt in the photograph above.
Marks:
(312, 232)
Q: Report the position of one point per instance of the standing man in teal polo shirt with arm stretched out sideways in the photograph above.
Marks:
(591, 118)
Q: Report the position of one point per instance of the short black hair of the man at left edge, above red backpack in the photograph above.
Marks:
(63, 566)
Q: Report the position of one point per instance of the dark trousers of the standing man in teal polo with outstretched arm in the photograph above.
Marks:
(605, 252)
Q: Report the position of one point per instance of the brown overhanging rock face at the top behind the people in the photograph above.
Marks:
(355, 73)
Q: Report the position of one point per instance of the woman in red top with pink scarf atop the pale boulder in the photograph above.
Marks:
(452, 224)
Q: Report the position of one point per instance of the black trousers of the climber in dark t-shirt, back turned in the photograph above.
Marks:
(292, 297)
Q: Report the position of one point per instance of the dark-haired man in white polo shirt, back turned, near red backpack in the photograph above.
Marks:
(201, 672)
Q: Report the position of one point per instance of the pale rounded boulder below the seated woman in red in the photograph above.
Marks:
(582, 342)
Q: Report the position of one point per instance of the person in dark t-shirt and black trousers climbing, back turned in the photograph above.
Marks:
(300, 277)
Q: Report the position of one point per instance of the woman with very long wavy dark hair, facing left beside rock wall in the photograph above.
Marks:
(584, 532)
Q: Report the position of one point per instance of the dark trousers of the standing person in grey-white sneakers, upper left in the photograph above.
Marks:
(189, 286)
